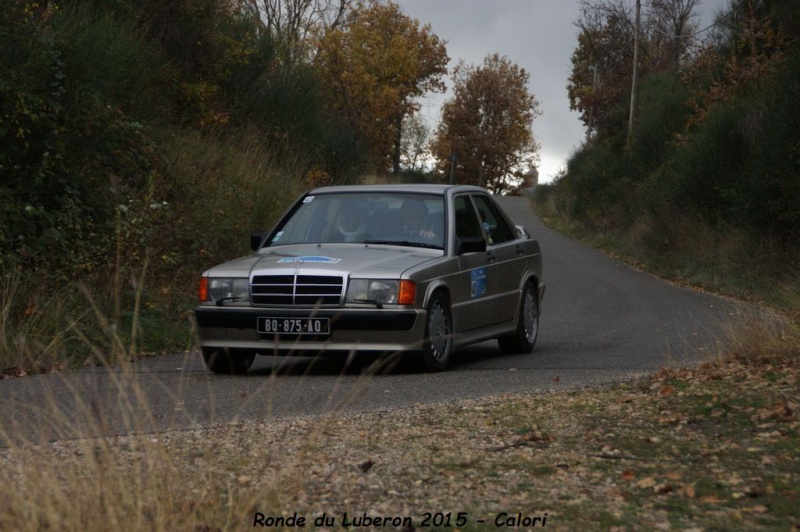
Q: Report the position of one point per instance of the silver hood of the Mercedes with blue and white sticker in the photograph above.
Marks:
(357, 260)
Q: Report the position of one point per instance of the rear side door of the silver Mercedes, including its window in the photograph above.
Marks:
(506, 258)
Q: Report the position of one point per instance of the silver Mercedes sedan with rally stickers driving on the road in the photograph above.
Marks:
(419, 270)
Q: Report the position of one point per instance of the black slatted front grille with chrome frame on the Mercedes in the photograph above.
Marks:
(297, 290)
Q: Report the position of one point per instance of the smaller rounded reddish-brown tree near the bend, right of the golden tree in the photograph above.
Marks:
(487, 125)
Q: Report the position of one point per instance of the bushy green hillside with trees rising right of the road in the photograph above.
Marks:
(703, 188)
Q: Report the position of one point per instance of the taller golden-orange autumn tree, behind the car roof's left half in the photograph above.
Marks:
(374, 68)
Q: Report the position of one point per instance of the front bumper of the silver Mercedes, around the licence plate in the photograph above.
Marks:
(351, 329)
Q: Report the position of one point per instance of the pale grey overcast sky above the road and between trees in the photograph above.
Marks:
(539, 36)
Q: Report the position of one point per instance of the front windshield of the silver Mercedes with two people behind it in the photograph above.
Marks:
(365, 217)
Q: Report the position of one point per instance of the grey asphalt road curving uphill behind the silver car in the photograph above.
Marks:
(602, 322)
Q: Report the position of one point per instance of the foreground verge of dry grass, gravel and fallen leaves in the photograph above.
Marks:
(709, 447)
